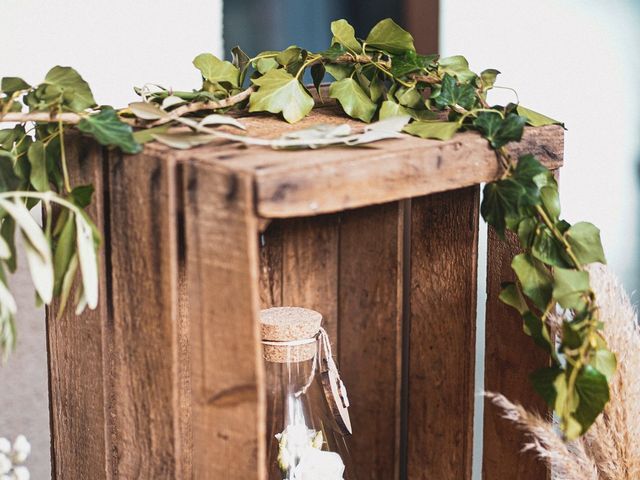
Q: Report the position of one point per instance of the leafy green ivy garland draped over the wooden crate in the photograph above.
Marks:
(379, 77)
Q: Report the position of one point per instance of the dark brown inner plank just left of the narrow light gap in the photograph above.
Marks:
(444, 239)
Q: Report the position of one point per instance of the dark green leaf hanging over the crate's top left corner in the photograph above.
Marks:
(107, 128)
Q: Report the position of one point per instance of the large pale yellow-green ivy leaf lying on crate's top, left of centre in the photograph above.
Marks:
(280, 92)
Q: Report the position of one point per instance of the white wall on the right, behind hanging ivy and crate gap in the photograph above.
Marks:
(577, 61)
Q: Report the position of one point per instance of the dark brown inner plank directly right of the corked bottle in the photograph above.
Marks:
(370, 330)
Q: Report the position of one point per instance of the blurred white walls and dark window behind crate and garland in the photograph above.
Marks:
(574, 60)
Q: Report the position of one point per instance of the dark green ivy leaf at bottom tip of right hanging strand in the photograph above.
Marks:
(593, 389)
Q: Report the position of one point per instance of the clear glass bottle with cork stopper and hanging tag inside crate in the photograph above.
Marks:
(308, 426)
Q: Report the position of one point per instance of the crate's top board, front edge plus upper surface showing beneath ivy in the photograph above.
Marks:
(303, 183)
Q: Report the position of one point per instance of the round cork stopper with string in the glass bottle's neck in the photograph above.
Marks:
(289, 324)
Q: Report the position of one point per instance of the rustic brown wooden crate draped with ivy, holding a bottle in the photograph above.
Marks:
(165, 379)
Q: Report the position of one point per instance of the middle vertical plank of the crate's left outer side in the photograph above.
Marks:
(144, 398)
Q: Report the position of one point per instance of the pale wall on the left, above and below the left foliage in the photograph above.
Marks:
(114, 44)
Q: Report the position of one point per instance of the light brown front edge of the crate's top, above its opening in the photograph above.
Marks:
(298, 184)
